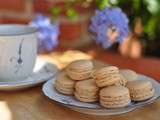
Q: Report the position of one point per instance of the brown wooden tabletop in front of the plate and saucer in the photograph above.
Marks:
(31, 104)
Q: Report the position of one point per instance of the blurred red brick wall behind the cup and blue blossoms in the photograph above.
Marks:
(22, 11)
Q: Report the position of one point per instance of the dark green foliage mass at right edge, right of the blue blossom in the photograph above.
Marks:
(149, 13)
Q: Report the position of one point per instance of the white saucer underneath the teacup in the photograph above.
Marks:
(42, 72)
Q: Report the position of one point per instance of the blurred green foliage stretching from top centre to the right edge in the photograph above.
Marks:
(147, 11)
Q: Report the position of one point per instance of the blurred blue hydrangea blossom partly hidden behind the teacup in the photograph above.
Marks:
(47, 33)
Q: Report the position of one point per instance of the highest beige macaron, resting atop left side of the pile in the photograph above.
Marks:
(80, 69)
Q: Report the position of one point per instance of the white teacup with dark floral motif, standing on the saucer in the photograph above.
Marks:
(18, 51)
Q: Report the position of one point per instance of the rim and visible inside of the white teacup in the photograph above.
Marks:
(16, 29)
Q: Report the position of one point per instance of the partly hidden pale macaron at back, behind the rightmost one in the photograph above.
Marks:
(129, 75)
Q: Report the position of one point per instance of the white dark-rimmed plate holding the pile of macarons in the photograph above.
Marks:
(94, 108)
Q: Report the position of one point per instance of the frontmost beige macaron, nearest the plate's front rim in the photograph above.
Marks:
(114, 97)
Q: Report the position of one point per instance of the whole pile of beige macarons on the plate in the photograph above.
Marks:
(110, 86)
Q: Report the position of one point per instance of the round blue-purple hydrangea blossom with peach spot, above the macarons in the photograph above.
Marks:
(108, 26)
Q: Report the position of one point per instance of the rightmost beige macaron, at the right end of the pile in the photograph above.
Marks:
(140, 90)
